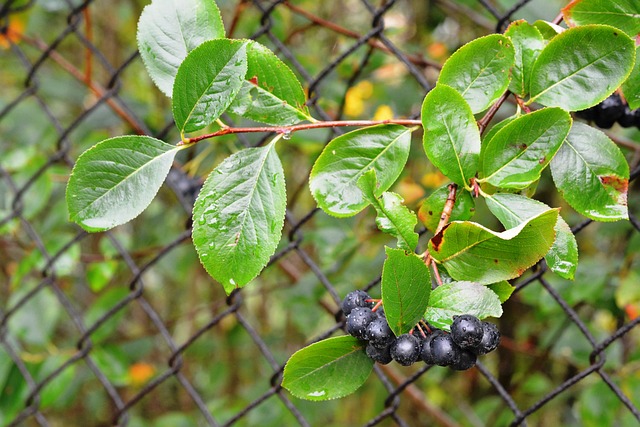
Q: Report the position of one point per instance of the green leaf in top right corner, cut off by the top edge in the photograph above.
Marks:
(622, 14)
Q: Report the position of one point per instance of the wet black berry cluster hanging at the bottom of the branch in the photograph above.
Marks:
(459, 349)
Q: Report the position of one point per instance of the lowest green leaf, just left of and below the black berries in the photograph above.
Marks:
(328, 369)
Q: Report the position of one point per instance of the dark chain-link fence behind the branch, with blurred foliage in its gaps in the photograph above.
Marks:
(125, 328)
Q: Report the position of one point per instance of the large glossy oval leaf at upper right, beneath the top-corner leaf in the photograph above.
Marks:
(581, 67)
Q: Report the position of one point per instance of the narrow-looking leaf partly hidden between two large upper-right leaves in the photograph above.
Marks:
(528, 43)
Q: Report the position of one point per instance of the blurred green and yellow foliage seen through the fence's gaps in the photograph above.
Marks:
(286, 305)
